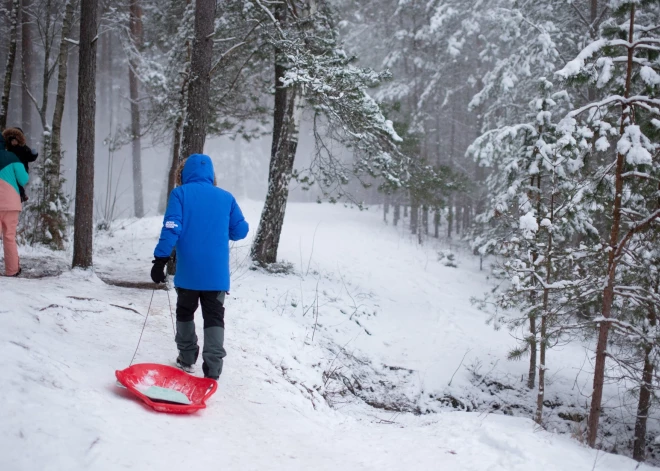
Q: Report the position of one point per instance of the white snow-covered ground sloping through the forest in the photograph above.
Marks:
(324, 361)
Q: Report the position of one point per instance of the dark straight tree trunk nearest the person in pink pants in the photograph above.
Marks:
(84, 215)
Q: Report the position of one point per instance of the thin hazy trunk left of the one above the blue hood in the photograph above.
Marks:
(136, 39)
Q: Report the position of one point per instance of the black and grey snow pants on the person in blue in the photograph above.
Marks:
(213, 312)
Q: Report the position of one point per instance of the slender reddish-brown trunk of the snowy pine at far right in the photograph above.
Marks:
(608, 292)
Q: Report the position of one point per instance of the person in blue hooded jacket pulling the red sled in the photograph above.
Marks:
(200, 221)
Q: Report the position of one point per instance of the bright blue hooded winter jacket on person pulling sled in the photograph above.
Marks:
(200, 221)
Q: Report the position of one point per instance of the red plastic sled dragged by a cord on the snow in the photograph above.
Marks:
(138, 378)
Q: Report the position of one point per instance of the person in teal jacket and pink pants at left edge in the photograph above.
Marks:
(12, 176)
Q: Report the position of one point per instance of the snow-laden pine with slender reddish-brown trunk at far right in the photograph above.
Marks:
(623, 66)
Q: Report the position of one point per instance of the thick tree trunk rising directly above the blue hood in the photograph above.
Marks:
(197, 110)
